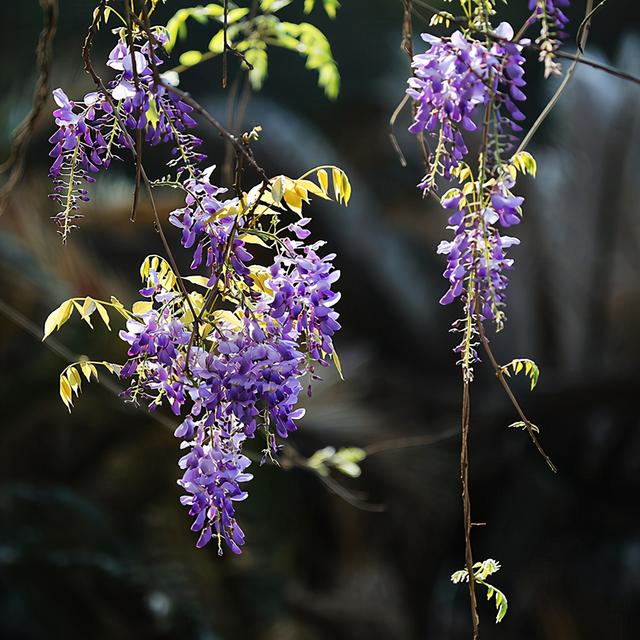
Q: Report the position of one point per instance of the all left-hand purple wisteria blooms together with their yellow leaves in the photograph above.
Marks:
(226, 348)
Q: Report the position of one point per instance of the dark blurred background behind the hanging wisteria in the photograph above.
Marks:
(93, 542)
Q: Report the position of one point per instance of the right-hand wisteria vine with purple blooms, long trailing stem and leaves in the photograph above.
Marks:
(471, 81)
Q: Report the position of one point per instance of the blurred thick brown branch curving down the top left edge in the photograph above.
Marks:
(24, 131)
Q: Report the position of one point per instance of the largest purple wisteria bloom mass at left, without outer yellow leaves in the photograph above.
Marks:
(247, 373)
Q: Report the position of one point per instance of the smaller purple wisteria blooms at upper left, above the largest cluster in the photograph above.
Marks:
(91, 132)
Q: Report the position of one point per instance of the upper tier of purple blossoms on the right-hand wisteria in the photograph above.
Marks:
(451, 80)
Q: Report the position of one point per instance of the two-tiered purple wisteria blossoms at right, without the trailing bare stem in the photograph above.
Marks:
(462, 84)
